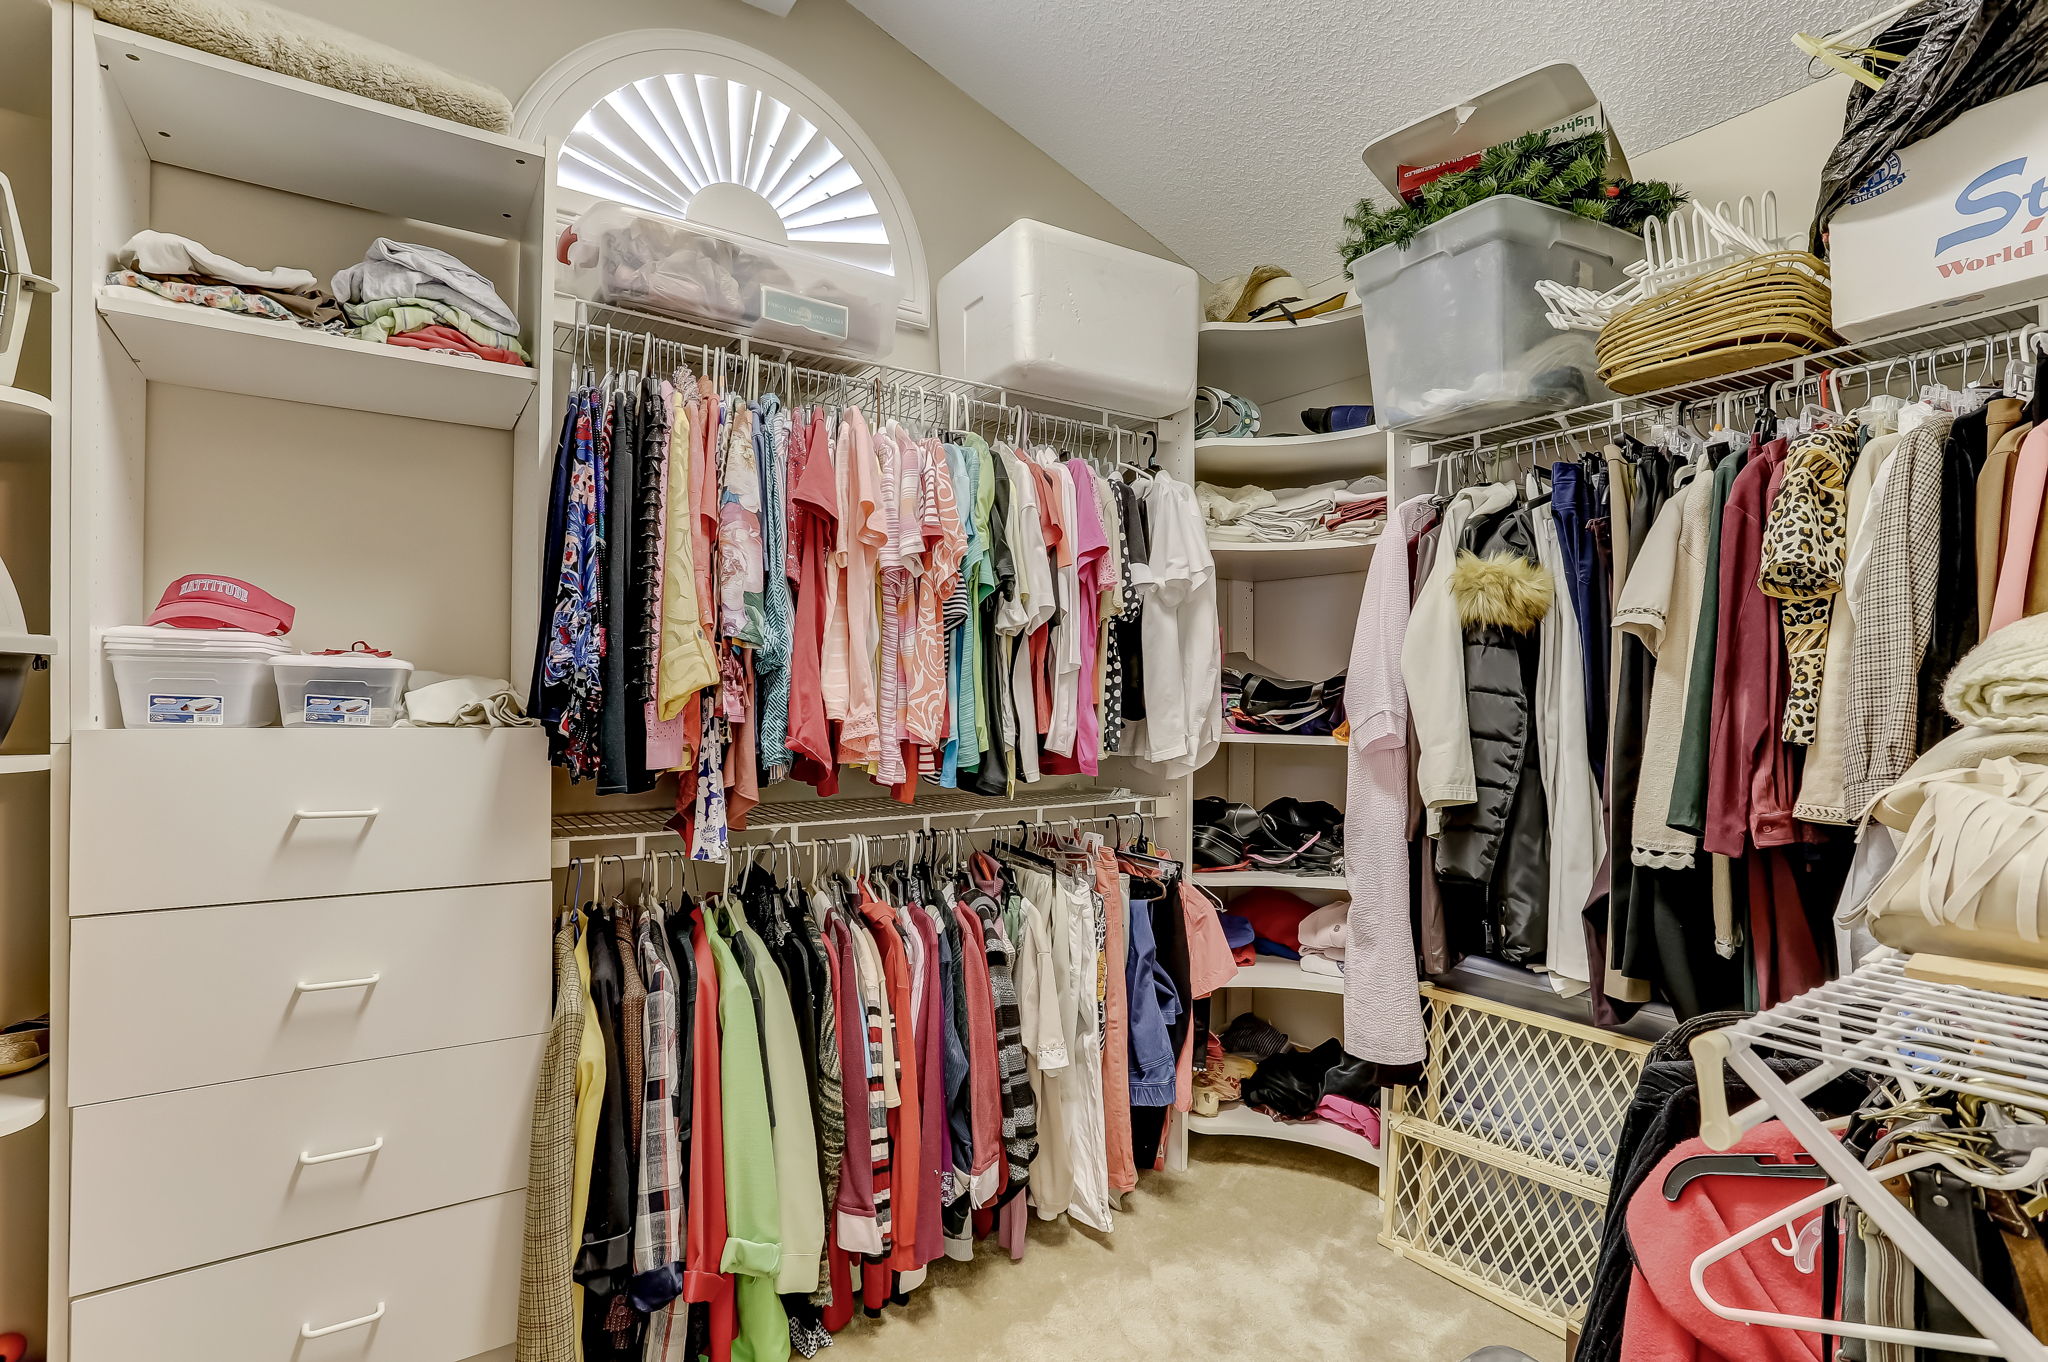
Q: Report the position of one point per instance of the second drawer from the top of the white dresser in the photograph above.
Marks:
(216, 994)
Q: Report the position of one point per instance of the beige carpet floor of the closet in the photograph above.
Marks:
(1258, 1250)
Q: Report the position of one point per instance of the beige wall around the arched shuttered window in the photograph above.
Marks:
(964, 171)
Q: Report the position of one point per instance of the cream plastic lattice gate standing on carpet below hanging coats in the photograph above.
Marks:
(1498, 1162)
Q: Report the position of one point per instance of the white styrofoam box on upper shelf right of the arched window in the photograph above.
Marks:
(1066, 316)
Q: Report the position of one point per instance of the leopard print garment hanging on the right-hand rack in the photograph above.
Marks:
(1805, 544)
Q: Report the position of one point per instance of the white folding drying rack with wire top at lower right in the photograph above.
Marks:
(1920, 1035)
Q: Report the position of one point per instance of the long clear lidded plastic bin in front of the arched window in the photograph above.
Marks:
(732, 282)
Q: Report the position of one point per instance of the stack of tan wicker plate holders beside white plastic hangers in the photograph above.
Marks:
(1756, 312)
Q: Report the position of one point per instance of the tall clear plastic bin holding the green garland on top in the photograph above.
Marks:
(1455, 331)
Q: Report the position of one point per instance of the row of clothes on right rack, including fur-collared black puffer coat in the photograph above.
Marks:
(1773, 611)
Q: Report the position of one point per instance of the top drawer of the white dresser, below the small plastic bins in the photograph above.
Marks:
(243, 816)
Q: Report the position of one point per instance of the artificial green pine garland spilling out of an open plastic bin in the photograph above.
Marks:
(1566, 175)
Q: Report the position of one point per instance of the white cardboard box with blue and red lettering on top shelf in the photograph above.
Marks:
(1951, 224)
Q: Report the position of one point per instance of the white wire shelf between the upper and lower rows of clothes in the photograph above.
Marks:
(636, 831)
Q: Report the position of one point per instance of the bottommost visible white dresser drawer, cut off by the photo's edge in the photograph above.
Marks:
(445, 1281)
